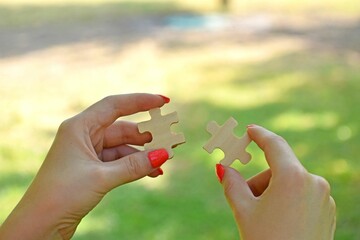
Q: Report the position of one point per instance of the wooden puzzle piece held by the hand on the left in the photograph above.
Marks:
(159, 127)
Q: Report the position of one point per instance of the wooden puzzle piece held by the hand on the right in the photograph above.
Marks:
(224, 139)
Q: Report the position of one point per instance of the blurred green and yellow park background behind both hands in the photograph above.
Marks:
(291, 66)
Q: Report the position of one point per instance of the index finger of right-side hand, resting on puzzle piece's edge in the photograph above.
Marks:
(278, 153)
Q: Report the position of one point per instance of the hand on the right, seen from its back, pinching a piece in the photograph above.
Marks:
(283, 202)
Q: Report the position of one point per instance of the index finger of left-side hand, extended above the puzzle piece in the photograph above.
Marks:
(107, 110)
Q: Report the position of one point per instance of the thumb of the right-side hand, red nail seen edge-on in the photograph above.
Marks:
(236, 189)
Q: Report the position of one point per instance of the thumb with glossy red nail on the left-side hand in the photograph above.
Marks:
(134, 166)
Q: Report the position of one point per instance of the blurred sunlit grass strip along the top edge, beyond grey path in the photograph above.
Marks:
(27, 13)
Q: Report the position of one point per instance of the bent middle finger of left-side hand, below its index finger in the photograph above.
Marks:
(123, 132)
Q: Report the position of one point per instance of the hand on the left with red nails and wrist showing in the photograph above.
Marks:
(88, 158)
